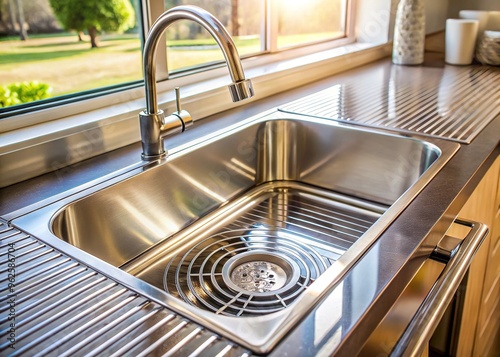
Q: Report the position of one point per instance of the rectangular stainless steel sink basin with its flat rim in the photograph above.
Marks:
(245, 229)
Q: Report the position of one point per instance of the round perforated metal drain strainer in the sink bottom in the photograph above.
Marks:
(261, 273)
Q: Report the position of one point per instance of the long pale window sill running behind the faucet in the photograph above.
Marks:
(40, 148)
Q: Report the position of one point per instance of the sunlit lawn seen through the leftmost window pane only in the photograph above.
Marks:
(68, 65)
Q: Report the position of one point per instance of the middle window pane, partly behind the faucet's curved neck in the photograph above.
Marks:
(189, 45)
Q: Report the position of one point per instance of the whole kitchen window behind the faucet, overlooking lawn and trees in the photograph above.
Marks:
(64, 58)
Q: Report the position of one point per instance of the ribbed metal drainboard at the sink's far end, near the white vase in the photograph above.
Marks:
(467, 100)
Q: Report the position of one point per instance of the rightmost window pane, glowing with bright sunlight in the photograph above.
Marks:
(301, 22)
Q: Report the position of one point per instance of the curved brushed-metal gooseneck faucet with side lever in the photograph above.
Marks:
(154, 125)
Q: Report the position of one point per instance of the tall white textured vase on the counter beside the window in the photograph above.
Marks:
(409, 33)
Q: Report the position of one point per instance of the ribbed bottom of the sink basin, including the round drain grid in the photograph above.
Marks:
(259, 255)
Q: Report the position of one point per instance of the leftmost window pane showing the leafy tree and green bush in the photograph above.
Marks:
(63, 53)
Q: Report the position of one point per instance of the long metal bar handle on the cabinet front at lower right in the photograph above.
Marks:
(457, 254)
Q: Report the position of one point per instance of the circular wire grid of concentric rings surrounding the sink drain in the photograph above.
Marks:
(242, 273)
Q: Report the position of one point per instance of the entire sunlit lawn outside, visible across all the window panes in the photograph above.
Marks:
(70, 66)
